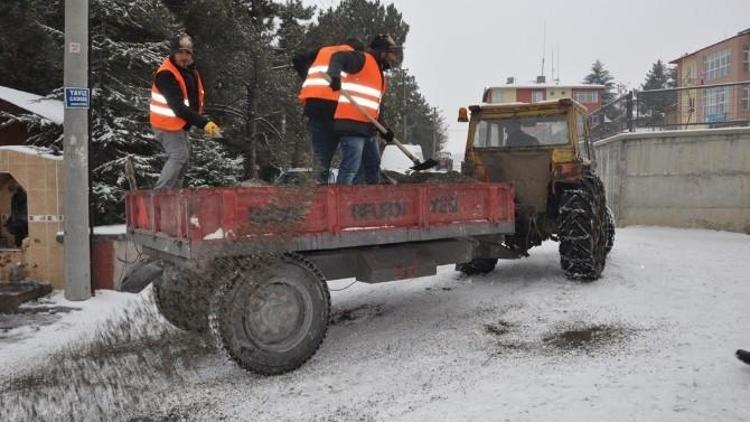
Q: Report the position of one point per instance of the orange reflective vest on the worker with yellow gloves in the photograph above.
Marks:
(161, 115)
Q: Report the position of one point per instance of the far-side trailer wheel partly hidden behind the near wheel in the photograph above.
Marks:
(182, 299)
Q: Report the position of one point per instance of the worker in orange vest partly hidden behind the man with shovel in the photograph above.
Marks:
(320, 101)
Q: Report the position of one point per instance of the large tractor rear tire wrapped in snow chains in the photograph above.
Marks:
(580, 232)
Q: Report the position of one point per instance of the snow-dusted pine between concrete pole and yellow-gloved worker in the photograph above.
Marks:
(128, 42)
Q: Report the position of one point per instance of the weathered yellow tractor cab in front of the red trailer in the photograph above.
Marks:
(532, 146)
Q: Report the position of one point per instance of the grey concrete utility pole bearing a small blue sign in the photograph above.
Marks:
(75, 155)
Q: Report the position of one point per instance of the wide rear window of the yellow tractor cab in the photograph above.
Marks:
(521, 131)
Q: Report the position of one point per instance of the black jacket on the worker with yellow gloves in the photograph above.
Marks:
(169, 87)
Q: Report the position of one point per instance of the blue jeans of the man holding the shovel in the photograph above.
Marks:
(359, 153)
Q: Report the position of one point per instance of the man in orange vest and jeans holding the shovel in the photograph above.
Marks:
(361, 75)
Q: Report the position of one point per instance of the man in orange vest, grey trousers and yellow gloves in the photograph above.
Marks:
(177, 100)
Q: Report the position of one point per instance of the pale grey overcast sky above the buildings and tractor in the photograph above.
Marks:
(456, 48)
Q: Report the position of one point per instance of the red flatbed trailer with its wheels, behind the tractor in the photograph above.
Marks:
(254, 261)
